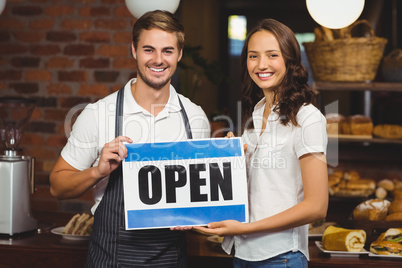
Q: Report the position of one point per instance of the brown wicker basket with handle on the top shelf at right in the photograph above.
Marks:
(351, 59)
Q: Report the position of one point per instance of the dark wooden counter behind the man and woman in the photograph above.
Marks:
(49, 250)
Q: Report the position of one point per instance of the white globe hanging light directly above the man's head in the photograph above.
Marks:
(139, 7)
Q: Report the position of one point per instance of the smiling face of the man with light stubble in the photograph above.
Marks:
(157, 56)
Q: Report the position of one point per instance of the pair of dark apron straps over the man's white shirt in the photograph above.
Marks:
(119, 115)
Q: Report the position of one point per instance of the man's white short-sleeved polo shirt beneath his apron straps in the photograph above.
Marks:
(95, 126)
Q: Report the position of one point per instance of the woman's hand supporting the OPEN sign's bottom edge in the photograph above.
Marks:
(223, 228)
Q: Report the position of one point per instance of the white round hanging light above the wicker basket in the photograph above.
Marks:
(335, 14)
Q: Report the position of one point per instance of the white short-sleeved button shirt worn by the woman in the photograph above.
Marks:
(274, 179)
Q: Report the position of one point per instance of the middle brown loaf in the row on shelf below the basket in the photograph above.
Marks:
(357, 125)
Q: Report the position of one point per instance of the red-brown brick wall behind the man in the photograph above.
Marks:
(61, 53)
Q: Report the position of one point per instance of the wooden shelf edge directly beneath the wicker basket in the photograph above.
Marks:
(357, 86)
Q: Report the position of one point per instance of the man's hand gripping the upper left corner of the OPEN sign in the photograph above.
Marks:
(112, 154)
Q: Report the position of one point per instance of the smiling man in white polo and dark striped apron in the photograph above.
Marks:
(150, 111)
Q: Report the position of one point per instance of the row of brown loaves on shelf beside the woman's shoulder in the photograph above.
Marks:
(360, 127)
